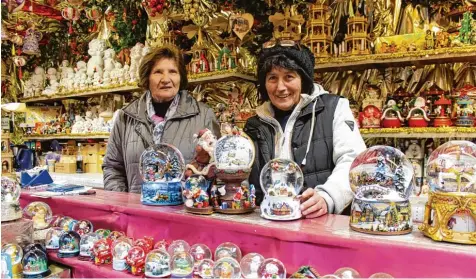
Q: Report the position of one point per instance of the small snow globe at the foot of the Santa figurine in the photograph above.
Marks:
(196, 196)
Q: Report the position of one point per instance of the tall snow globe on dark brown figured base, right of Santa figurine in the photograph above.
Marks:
(234, 156)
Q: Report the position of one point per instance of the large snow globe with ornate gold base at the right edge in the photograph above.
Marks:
(450, 214)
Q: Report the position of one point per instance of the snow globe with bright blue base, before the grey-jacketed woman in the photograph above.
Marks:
(161, 167)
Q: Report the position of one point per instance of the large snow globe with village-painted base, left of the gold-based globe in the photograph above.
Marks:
(381, 178)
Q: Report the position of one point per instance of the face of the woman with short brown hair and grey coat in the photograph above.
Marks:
(164, 80)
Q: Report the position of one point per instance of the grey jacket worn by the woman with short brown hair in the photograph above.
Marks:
(132, 134)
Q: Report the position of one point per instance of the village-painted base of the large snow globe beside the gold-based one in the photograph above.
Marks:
(380, 217)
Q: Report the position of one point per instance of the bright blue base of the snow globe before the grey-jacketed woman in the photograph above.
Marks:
(162, 193)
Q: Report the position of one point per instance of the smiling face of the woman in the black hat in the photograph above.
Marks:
(284, 88)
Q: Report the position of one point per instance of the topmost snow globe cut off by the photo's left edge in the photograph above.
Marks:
(10, 200)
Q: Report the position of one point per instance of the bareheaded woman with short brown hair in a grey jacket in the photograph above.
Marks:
(165, 113)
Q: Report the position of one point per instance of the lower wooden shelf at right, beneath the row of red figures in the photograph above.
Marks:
(421, 133)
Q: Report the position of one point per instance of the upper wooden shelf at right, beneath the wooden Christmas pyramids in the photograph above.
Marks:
(386, 60)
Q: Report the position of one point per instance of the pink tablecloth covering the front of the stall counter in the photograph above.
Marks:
(325, 243)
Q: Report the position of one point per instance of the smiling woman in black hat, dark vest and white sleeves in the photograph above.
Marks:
(300, 121)
